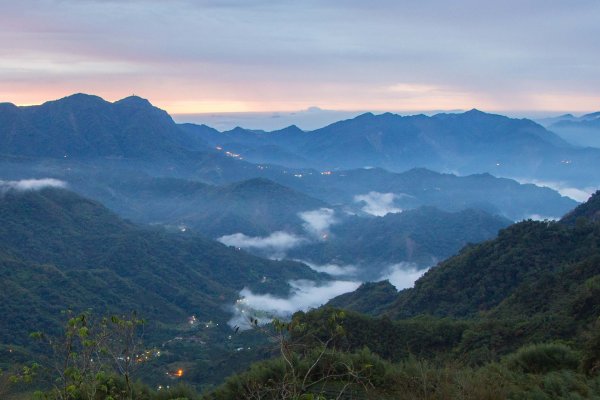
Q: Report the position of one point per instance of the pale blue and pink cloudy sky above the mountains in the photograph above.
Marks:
(209, 56)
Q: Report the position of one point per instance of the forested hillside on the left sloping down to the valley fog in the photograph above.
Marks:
(59, 250)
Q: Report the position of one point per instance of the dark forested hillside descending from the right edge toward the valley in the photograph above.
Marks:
(531, 268)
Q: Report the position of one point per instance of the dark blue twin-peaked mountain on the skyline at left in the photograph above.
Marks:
(83, 125)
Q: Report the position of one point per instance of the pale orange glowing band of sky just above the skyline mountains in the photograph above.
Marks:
(543, 102)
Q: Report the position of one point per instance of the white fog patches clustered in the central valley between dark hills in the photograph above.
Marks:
(307, 294)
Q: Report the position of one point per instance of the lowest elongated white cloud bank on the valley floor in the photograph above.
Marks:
(304, 295)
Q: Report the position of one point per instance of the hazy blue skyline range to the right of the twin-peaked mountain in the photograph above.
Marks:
(471, 142)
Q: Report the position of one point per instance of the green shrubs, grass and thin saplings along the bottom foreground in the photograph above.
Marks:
(310, 366)
